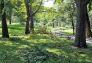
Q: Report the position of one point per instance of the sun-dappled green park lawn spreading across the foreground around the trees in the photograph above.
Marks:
(40, 48)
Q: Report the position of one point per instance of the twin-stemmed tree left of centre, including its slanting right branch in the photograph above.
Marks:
(30, 14)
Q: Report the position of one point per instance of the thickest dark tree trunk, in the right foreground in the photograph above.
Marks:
(80, 38)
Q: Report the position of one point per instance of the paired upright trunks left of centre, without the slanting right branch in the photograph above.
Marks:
(30, 22)
